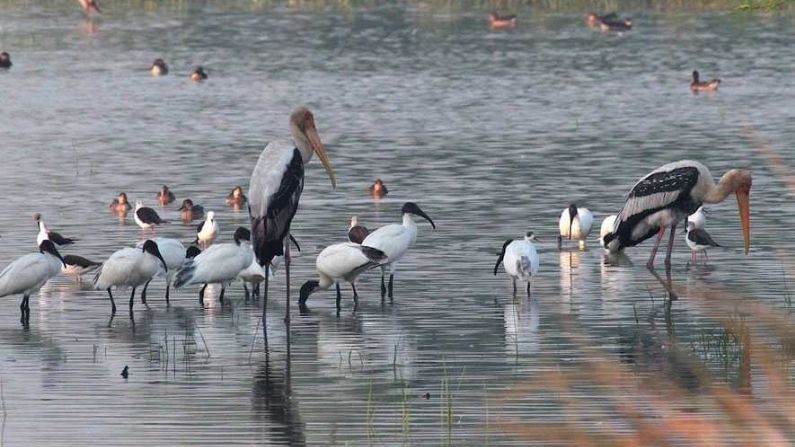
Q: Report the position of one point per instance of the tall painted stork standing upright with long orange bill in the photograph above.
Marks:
(275, 189)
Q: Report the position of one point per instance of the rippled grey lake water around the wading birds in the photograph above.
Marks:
(492, 133)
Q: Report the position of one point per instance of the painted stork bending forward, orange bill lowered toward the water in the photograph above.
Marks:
(670, 193)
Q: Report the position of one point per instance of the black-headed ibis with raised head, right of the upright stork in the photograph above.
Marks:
(395, 239)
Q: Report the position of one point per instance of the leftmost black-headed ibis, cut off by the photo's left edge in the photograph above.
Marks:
(28, 273)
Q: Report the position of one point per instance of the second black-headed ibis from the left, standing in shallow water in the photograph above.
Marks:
(129, 267)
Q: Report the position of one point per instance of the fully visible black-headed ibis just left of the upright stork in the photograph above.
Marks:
(221, 263)
